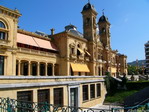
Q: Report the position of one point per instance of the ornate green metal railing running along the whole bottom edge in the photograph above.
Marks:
(12, 105)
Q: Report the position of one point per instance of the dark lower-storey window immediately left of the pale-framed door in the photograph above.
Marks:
(58, 96)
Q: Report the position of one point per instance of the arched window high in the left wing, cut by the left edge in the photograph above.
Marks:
(3, 31)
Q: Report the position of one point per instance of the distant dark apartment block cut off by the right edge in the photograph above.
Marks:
(147, 56)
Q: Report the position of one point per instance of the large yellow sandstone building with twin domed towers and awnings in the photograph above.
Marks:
(57, 68)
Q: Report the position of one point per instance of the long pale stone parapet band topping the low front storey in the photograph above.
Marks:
(36, 81)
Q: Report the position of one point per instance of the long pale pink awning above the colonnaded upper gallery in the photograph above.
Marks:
(34, 41)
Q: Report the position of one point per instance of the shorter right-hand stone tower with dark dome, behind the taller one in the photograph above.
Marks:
(104, 31)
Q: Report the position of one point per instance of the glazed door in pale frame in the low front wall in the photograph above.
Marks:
(74, 97)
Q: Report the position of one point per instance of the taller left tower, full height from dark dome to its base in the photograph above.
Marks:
(89, 30)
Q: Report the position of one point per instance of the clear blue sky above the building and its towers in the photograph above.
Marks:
(129, 20)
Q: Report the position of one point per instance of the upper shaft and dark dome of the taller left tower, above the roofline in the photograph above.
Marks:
(89, 22)
